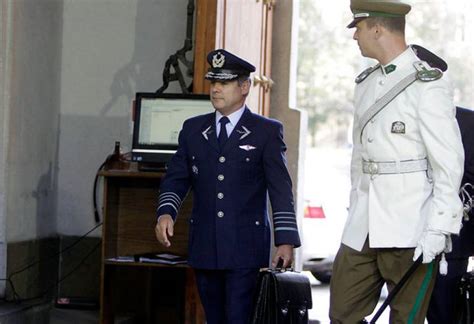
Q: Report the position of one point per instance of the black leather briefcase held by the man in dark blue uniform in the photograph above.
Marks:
(283, 297)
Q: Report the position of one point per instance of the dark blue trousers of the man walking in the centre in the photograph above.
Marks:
(227, 295)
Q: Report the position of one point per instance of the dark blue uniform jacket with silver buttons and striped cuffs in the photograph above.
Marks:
(229, 227)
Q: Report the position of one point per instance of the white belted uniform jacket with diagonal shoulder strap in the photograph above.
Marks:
(394, 209)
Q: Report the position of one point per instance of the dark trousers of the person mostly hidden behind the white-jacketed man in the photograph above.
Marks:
(441, 309)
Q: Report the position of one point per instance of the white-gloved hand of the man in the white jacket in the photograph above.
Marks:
(431, 244)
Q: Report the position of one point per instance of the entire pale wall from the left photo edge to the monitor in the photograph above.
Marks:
(68, 72)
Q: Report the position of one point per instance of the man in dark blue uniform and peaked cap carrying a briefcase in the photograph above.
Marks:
(231, 159)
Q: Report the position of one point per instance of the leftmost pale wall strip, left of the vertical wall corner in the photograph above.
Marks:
(32, 38)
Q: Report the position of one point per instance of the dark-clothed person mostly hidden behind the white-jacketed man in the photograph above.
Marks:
(441, 309)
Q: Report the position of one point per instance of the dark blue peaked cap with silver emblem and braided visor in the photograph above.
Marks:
(226, 66)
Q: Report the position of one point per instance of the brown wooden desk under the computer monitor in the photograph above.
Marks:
(150, 293)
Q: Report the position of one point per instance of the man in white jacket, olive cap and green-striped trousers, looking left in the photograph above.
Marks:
(406, 169)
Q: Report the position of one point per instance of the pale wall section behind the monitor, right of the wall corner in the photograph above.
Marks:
(111, 49)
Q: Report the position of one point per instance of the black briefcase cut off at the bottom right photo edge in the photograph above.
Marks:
(464, 303)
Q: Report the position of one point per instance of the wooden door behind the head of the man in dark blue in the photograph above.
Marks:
(242, 27)
